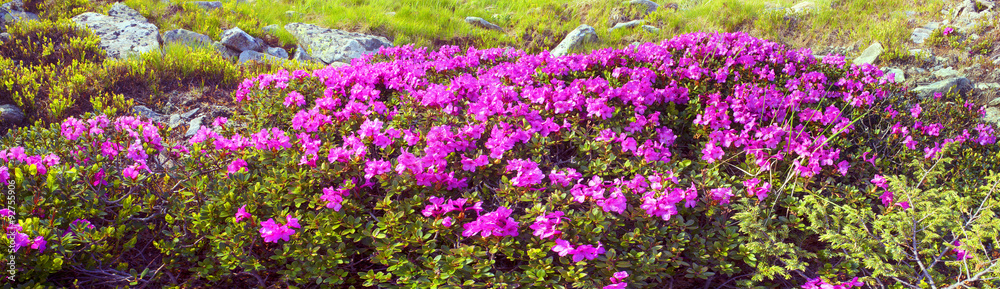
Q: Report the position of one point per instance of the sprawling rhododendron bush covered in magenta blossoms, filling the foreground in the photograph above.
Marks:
(710, 160)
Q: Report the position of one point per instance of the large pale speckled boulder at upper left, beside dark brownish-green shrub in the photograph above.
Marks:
(123, 32)
